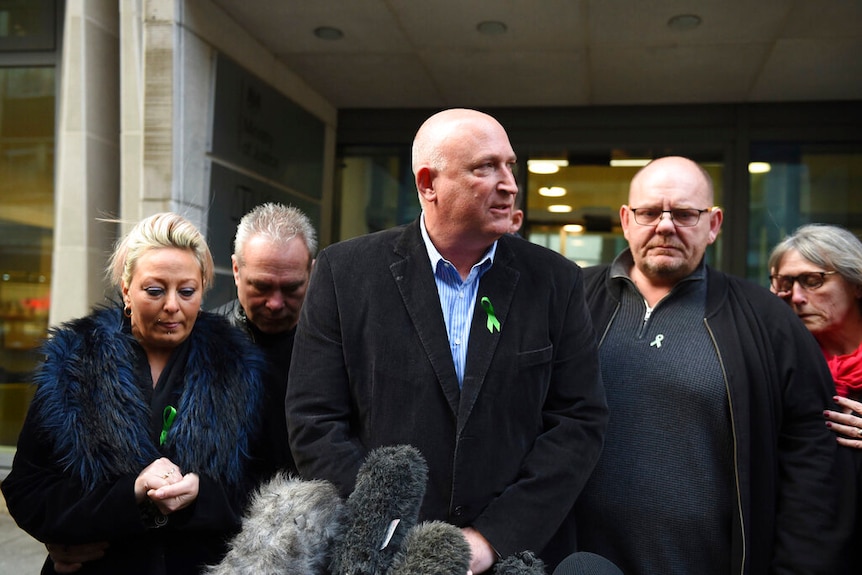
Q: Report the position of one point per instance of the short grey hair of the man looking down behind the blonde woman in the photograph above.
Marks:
(277, 223)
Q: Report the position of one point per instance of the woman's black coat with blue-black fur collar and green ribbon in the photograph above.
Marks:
(88, 434)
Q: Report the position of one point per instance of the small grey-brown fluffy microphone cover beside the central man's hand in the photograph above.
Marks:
(432, 548)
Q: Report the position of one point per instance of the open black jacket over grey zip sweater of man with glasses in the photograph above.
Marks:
(788, 474)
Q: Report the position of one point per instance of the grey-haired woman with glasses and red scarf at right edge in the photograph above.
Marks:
(818, 272)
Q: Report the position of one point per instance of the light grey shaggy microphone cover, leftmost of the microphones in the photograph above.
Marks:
(289, 527)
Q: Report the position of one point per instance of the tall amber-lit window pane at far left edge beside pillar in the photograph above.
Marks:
(26, 232)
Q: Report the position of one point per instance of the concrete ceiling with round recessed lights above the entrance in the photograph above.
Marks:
(429, 53)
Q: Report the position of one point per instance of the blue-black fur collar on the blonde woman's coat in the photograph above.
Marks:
(88, 403)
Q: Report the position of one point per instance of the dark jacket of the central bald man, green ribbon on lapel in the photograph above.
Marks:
(508, 453)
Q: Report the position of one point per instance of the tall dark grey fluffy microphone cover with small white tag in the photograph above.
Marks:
(384, 505)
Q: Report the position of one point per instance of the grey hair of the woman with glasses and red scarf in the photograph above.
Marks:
(828, 246)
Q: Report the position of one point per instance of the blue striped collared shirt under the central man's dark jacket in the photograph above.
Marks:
(457, 298)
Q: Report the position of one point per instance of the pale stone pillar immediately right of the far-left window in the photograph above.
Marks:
(88, 176)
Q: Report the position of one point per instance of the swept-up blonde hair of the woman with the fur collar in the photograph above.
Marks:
(164, 230)
